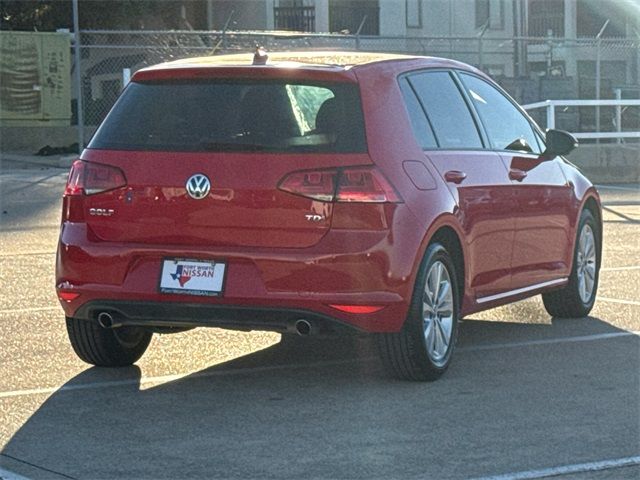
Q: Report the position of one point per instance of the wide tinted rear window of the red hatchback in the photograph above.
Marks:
(200, 116)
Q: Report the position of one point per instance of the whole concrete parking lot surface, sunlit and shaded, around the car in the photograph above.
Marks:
(527, 396)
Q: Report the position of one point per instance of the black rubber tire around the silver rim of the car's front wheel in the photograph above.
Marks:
(568, 302)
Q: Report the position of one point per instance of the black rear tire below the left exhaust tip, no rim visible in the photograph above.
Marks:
(103, 347)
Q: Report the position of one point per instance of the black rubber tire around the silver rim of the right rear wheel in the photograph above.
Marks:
(405, 354)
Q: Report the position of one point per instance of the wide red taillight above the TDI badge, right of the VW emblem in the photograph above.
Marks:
(350, 184)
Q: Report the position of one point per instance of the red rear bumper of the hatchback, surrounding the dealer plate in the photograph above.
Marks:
(265, 289)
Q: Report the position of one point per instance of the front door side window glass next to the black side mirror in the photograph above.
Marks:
(506, 127)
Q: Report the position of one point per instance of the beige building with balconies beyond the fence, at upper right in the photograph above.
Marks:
(569, 25)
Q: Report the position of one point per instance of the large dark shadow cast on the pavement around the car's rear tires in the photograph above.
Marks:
(323, 408)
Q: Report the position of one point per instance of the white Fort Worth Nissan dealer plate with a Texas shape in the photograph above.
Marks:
(192, 277)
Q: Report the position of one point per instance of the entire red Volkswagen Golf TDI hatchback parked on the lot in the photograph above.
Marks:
(320, 192)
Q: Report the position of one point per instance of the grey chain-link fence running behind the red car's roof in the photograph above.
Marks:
(530, 69)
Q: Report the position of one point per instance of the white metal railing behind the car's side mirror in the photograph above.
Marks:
(551, 105)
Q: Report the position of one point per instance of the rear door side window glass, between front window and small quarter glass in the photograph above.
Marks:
(446, 109)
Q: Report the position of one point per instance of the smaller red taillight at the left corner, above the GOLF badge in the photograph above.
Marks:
(88, 178)
